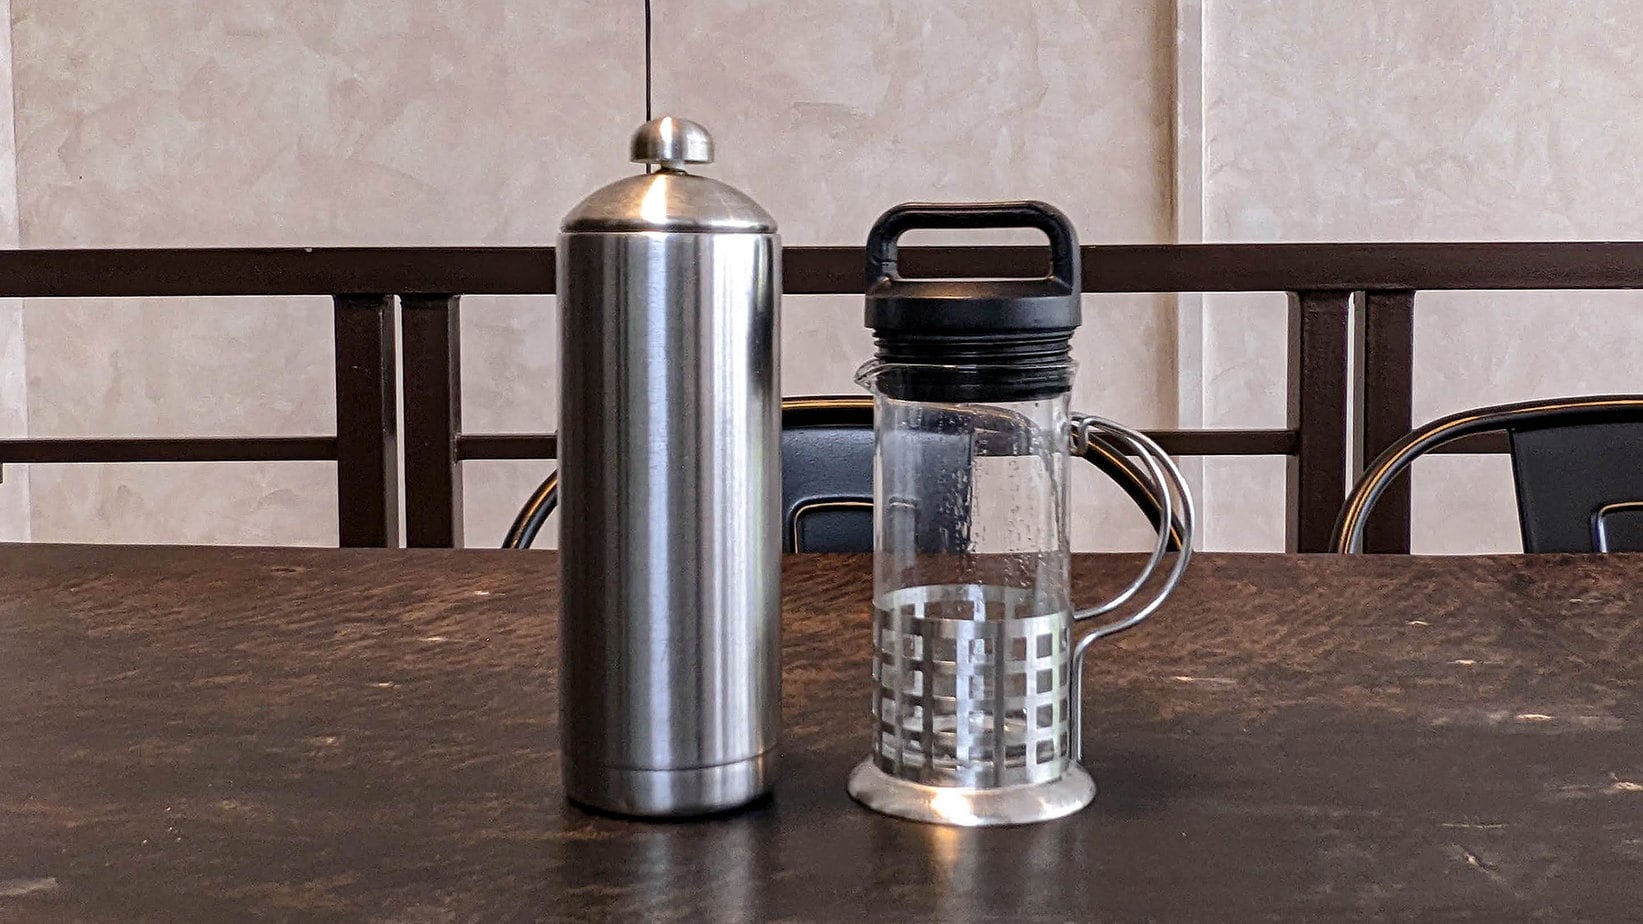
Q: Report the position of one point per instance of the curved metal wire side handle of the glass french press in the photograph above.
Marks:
(1171, 484)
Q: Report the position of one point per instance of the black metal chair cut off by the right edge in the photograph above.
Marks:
(1578, 466)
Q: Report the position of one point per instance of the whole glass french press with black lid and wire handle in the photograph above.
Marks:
(977, 672)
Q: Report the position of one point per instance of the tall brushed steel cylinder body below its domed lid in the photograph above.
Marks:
(671, 519)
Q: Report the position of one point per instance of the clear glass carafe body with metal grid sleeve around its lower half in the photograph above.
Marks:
(972, 599)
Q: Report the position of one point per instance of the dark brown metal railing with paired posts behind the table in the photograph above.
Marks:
(1322, 280)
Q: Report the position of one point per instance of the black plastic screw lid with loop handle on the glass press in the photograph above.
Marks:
(973, 340)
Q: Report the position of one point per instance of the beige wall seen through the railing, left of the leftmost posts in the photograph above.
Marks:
(183, 367)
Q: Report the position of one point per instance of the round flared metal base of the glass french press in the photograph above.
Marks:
(972, 808)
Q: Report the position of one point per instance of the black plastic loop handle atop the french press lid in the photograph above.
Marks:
(972, 216)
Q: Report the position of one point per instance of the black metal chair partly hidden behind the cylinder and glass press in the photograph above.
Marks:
(827, 481)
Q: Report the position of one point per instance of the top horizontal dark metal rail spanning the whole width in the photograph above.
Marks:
(832, 270)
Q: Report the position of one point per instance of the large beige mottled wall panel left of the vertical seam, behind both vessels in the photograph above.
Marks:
(255, 122)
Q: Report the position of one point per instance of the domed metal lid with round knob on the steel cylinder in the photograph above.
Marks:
(670, 200)
